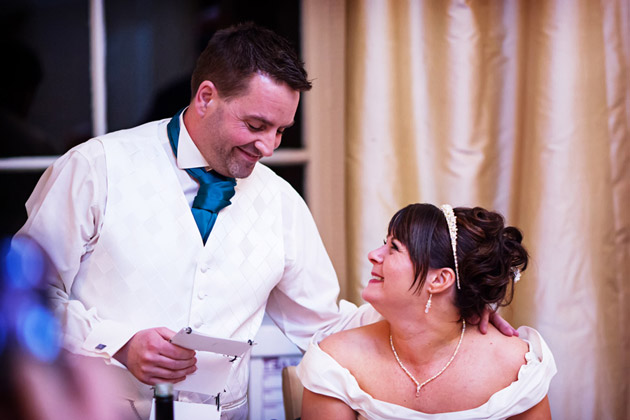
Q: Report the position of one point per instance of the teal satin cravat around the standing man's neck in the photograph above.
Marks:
(215, 190)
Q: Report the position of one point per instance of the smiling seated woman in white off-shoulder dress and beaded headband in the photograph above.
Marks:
(437, 269)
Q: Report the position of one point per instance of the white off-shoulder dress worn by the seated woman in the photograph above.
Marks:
(320, 373)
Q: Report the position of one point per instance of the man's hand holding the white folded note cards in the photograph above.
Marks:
(152, 359)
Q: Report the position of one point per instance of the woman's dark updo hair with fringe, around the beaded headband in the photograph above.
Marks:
(487, 252)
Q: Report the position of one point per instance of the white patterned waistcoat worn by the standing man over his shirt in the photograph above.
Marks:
(150, 261)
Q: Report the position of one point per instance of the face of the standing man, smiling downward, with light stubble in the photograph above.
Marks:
(242, 129)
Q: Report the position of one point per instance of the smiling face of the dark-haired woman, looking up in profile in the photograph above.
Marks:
(392, 274)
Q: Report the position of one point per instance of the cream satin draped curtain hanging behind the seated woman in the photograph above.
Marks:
(518, 106)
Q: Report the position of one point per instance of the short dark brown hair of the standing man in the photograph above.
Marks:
(234, 54)
